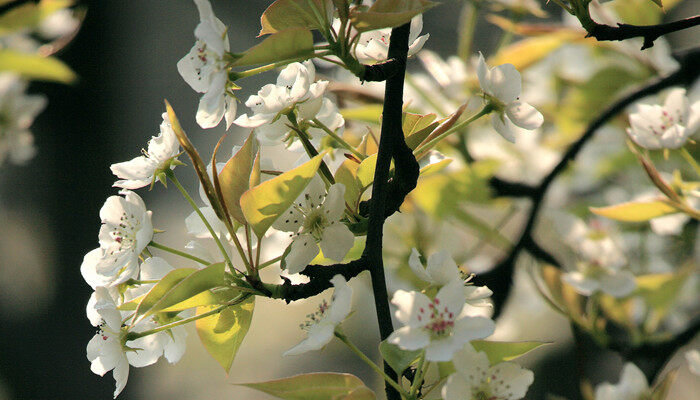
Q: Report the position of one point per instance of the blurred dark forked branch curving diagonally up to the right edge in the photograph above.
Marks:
(500, 278)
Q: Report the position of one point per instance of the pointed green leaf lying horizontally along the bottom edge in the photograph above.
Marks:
(313, 386)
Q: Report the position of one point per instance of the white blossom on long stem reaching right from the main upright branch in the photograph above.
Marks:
(502, 86)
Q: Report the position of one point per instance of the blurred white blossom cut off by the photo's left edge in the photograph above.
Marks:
(17, 113)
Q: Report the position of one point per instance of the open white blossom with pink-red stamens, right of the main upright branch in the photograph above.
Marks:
(440, 325)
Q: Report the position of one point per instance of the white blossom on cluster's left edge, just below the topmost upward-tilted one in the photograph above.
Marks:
(126, 230)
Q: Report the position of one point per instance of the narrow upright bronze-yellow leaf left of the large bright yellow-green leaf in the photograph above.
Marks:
(234, 178)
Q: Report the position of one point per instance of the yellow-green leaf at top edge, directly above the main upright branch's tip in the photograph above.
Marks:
(389, 13)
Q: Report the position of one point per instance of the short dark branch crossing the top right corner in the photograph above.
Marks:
(649, 32)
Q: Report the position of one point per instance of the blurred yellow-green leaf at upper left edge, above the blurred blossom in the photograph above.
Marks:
(33, 66)
